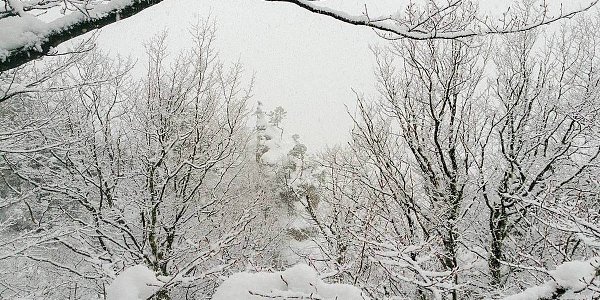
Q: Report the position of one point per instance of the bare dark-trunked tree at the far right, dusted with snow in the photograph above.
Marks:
(546, 128)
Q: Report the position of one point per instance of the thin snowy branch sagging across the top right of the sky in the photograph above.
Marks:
(428, 23)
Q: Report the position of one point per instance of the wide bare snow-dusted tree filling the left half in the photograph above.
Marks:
(146, 172)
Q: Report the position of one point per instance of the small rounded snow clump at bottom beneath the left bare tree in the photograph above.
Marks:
(134, 283)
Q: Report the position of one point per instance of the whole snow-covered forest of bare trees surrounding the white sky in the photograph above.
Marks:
(473, 172)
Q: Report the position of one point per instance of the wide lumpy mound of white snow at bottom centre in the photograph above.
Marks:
(298, 281)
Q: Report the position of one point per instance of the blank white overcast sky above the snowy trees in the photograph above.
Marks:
(305, 62)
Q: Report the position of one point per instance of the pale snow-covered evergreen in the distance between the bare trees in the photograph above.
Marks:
(290, 180)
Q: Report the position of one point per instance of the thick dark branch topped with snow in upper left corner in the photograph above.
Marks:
(24, 37)
